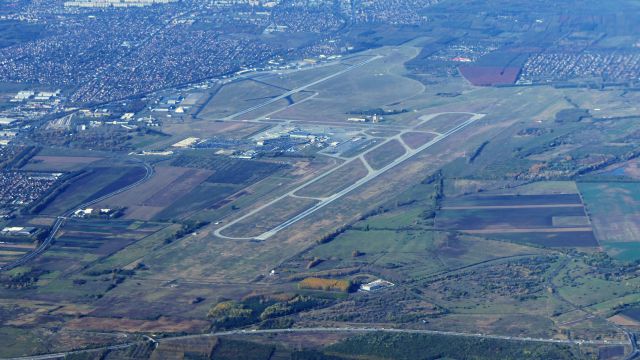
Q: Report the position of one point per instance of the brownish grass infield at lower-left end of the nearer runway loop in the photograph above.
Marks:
(269, 217)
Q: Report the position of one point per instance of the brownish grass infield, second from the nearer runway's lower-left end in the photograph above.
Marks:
(338, 180)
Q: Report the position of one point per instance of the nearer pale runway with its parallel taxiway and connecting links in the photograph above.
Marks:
(372, 174)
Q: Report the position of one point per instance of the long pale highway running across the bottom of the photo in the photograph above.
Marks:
(354, 330)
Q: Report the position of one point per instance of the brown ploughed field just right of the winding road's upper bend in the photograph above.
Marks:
(151, 197)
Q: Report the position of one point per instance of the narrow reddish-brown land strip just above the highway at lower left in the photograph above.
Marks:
(131, 325)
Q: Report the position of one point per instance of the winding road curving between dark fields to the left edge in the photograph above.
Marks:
(60, 220)
